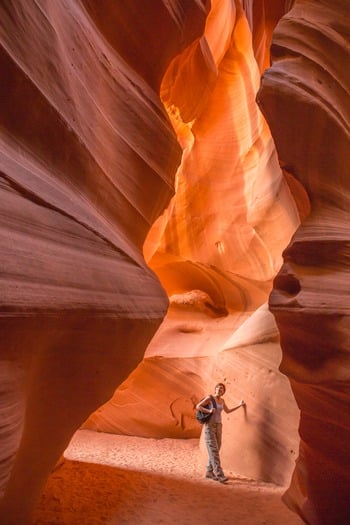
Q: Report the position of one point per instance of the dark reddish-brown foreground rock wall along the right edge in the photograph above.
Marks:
(305, 97)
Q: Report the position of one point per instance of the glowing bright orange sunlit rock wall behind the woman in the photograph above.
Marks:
(216, 250)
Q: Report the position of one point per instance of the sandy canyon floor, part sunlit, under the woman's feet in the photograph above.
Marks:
(123, 480)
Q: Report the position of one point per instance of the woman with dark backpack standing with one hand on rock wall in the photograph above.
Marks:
(213, 430)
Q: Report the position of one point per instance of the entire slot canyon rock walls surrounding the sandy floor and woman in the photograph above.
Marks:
(175, 212)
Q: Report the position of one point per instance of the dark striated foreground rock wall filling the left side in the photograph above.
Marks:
(88, 158)
